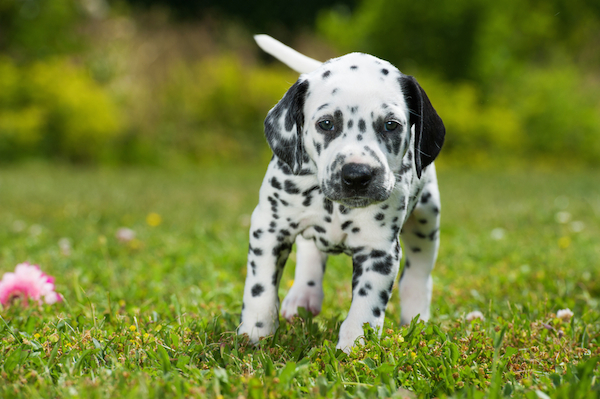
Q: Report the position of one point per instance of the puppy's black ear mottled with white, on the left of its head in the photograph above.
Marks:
(284, 124)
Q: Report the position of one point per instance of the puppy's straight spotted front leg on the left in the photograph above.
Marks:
(268, 251)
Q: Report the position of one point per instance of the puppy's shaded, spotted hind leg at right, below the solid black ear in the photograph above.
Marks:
(420, 235)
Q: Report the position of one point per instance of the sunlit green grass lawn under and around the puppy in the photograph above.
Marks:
(156, 317)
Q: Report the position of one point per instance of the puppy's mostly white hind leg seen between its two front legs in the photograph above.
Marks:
(307, 291)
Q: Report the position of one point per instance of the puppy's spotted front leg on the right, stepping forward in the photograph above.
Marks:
(374, 273)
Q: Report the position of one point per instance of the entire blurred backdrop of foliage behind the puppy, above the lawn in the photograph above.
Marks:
(182, 82)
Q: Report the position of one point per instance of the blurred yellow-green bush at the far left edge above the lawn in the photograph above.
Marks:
(54, 109)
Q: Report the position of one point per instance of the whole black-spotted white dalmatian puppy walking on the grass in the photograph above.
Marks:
(354, 141)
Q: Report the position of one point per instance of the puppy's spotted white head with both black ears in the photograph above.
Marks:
(355, 119)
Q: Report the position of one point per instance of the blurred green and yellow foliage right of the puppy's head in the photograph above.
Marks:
(512, 79)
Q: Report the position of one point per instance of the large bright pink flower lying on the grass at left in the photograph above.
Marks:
(28, 282)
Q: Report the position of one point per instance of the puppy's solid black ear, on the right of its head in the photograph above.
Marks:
(429, 128)
